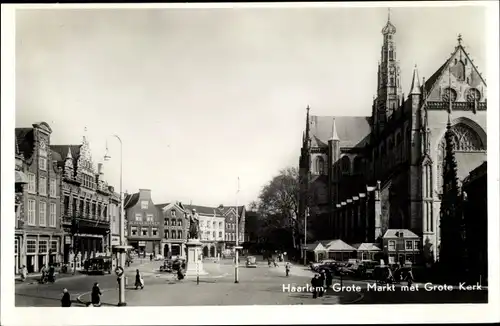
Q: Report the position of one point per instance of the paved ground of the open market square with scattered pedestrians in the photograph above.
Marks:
(258, 286)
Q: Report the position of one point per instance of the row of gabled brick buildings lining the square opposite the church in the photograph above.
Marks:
(66, 212)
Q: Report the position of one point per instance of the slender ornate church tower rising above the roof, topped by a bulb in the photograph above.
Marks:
(389, 79)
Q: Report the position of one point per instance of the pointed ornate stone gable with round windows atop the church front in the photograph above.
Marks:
(459, 79)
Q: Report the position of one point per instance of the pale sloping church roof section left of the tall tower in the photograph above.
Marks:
(352, 131)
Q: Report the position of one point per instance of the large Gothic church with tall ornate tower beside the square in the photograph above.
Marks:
(363, 175)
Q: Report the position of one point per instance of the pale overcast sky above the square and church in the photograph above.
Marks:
(202, 96)
